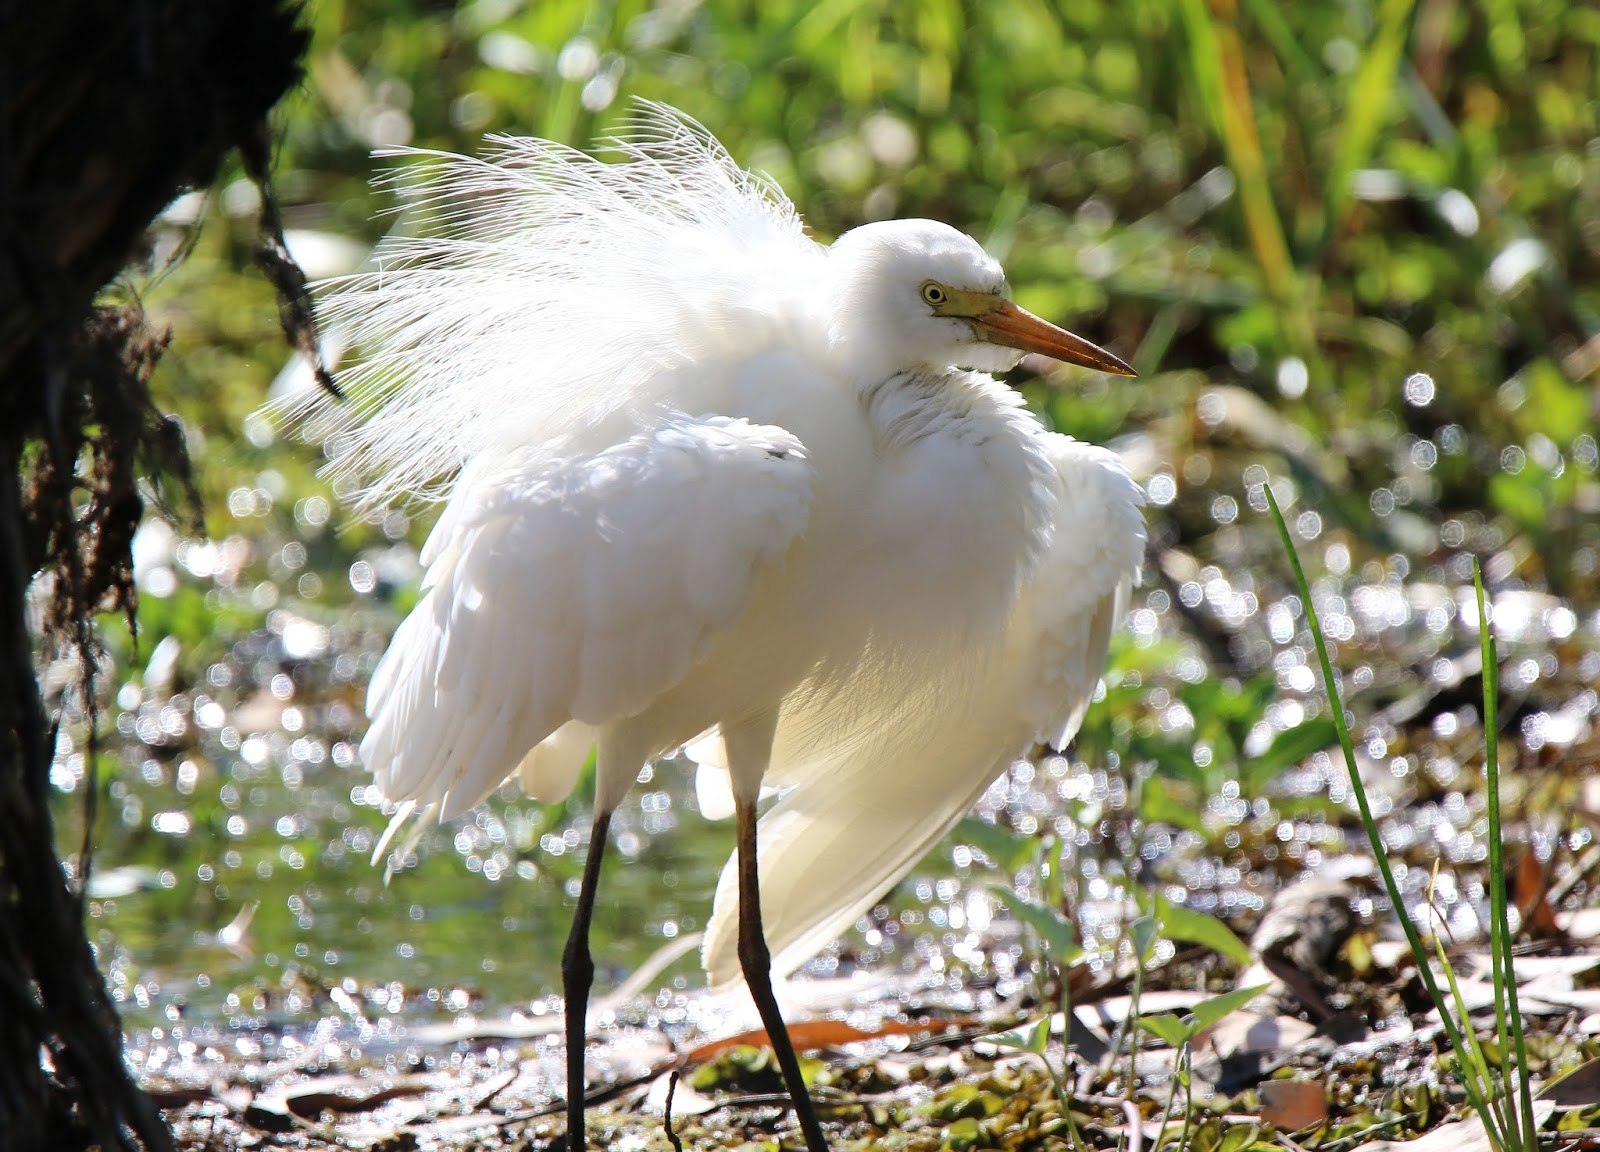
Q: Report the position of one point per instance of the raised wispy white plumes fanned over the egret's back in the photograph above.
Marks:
(540, 290)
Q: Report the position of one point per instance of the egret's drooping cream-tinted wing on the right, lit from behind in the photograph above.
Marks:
(863, 810)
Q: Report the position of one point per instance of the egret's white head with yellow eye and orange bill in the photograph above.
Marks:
(921, 295)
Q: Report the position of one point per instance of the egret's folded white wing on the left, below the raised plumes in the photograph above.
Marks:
(572, 591)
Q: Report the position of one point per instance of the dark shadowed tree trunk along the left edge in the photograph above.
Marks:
(108, 110)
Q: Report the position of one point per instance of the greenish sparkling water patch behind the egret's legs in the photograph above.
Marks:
(484, 911)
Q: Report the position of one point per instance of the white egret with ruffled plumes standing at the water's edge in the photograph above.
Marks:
(713, 484)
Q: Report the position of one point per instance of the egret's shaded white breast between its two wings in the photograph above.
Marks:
(932, 503)
